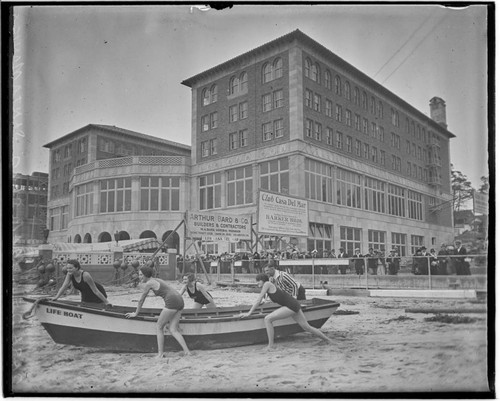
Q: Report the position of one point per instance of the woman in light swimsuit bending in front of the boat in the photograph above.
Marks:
(171, 314)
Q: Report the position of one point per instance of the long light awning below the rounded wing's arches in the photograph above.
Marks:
(130, 245)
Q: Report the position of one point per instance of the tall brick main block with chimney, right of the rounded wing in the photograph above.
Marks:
(292, 117)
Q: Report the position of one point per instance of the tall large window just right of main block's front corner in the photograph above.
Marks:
(318, 181)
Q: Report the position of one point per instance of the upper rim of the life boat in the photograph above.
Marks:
(210, 315)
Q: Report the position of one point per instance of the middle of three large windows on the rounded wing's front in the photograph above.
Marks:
(115, 195)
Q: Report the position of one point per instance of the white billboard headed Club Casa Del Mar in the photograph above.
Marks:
(279, 214)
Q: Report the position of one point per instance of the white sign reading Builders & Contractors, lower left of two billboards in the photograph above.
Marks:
(216, 227)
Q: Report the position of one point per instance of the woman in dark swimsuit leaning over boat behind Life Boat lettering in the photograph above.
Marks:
(91, 290)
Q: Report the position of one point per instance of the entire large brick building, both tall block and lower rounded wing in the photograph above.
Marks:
(289, 117)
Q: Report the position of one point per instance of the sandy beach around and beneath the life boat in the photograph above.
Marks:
(381, 349)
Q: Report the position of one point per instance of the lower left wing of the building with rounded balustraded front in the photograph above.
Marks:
(106, 180)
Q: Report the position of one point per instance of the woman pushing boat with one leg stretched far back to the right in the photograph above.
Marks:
(290, 307)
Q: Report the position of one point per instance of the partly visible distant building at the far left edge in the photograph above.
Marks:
(29, 207)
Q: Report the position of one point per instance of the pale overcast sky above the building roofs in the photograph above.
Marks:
(123, 65)
